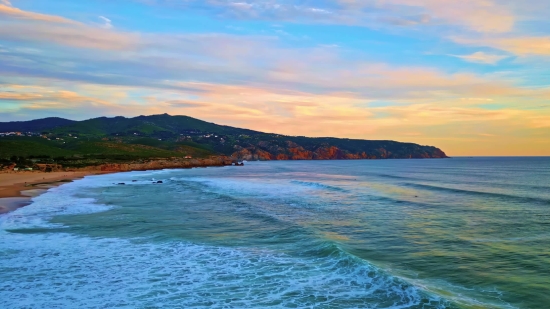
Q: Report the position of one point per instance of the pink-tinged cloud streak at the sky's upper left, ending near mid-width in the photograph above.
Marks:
(106, 38)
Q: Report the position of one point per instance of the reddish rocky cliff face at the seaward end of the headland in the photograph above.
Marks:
(292, 151)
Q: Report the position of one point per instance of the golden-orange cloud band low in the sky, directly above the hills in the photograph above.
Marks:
(458, 126)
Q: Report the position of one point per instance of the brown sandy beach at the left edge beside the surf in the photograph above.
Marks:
(17, 188)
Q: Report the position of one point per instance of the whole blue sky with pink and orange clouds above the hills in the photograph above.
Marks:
(471, 77)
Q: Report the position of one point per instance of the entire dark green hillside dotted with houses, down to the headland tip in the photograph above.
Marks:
(164, 136)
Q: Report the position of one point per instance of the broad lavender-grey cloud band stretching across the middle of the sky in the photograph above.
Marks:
(165, 61)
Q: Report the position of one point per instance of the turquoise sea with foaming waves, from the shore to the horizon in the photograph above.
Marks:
(453, 233)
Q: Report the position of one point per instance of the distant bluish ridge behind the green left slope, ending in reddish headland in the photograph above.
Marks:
(173, 132)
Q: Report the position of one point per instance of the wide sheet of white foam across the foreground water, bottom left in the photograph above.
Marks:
(62, 271)
